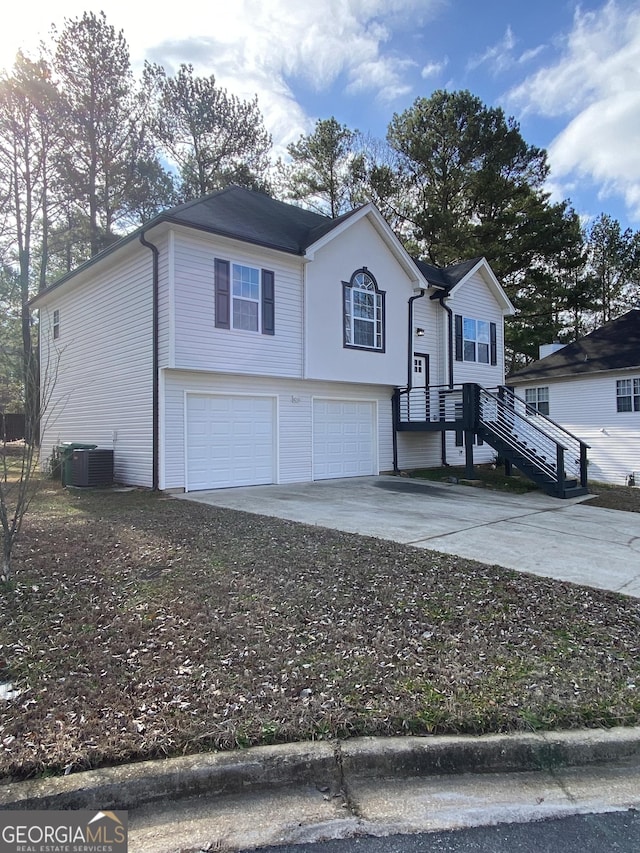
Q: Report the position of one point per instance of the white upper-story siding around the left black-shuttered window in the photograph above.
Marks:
(199, 345)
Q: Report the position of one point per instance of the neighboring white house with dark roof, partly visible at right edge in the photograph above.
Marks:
(592, 388)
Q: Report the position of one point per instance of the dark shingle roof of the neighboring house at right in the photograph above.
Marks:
(614, 346)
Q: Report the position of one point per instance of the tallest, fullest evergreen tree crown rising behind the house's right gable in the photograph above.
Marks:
(467, 173)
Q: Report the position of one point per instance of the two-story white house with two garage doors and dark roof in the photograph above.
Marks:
(237, 340)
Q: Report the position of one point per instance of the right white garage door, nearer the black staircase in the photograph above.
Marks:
(344, 439)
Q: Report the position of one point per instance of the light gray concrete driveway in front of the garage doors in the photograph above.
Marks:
(534, 533)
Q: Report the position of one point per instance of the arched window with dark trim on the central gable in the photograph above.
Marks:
(363, 312)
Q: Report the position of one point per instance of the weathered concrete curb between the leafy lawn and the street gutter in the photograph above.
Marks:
(324, 765)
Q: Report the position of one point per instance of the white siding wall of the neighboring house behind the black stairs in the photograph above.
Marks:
(587, 407)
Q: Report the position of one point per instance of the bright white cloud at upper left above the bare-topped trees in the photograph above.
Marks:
(262, 47)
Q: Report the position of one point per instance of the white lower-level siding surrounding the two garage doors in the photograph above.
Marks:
(294, 401)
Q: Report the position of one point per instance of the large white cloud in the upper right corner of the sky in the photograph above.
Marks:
(596, 85)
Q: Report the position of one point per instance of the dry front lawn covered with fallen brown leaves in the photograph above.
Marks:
(139, 626)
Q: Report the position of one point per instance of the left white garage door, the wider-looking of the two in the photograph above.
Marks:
(230, 441)
